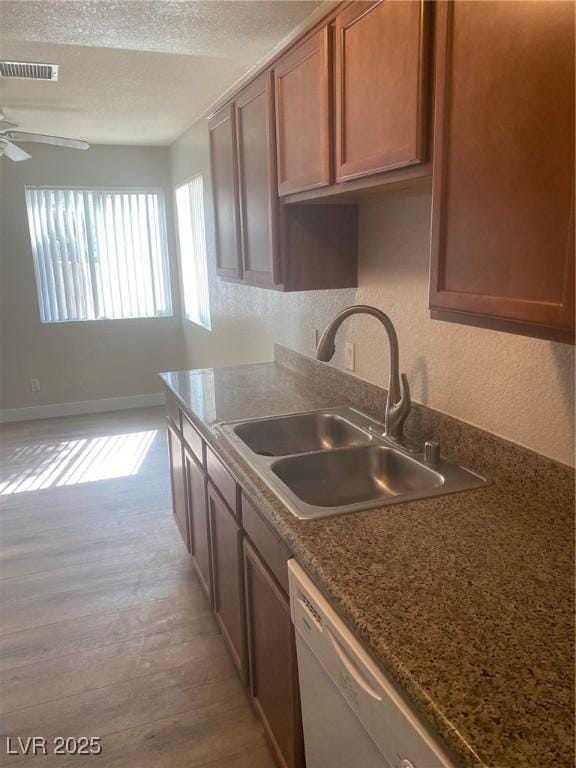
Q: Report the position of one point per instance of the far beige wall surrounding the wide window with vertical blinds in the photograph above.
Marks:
(87, 360)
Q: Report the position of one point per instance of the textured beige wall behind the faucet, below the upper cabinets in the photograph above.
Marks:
(519, 388)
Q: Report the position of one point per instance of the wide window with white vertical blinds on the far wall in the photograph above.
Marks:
(99, 254)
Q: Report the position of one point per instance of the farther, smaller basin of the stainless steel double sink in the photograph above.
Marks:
(301, 433)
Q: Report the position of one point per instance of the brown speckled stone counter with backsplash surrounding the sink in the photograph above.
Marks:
(466, 601)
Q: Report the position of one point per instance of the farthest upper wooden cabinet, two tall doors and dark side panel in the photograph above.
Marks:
(289, 248)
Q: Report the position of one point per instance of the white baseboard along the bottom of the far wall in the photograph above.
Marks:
(81, 407)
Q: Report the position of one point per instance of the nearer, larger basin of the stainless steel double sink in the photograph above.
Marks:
(354, 476)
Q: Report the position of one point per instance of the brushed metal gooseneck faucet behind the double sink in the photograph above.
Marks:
(398, 402)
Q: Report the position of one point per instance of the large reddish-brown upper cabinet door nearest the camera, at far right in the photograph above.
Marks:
(503, 204)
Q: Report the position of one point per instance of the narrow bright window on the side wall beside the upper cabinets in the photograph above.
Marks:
(192, 240)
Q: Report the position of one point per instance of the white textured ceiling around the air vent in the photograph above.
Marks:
(132, 71)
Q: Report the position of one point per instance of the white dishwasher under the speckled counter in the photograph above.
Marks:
(352, 715)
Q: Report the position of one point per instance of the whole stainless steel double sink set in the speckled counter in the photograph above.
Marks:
(333, 461)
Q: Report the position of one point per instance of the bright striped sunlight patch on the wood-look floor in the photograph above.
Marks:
(71, 462)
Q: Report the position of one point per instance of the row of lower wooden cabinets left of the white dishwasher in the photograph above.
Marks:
(242, 566)
